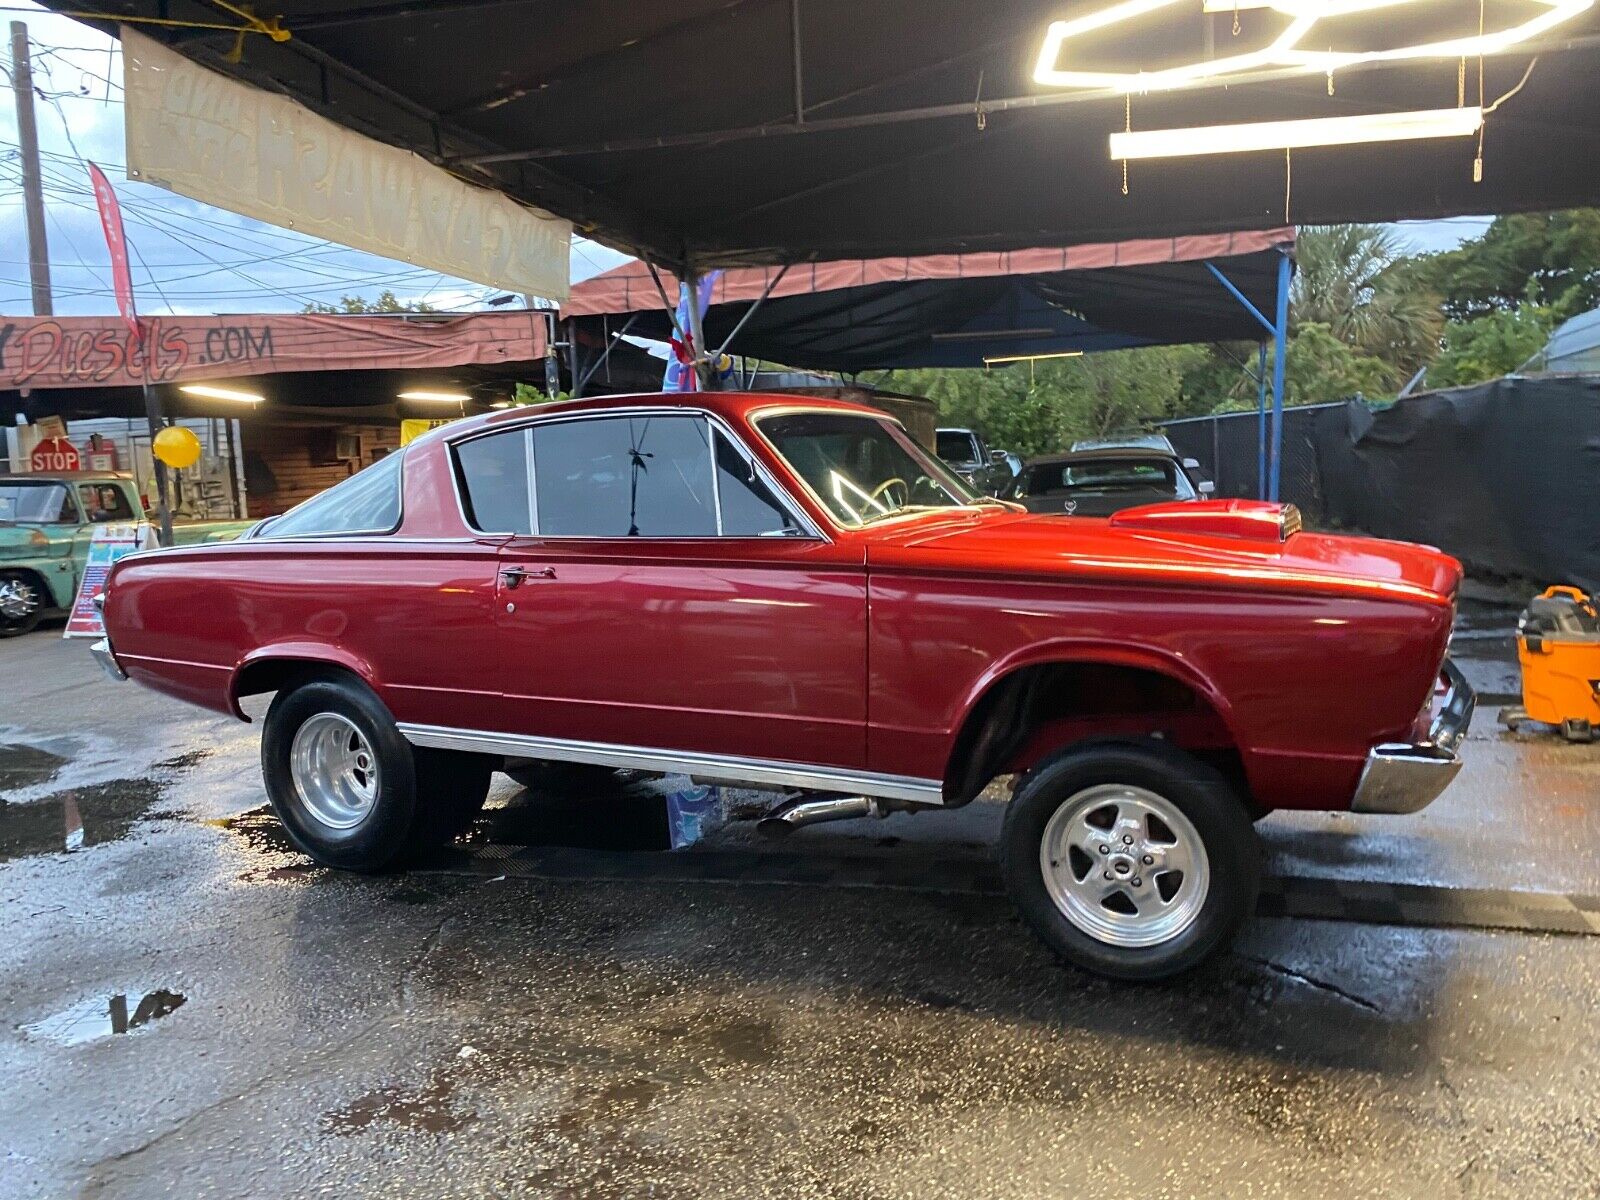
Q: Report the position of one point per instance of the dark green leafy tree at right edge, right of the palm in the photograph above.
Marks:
(1546, 258)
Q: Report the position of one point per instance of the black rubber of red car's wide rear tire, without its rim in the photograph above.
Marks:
(420, 798)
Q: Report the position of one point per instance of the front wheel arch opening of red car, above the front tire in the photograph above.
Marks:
(1010, 711)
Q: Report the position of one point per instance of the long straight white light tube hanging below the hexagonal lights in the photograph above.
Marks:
(1385, 127)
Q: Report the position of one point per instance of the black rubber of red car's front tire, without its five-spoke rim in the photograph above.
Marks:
(1199, 793)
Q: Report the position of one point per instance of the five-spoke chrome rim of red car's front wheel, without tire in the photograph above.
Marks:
(1126, 866)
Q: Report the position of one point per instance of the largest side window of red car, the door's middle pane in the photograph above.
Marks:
(625, 478)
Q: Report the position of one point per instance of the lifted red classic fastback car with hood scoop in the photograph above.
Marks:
(790, 593)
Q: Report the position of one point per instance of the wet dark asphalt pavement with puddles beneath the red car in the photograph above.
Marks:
(188, 1009)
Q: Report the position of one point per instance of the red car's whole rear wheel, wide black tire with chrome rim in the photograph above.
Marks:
(350, 790)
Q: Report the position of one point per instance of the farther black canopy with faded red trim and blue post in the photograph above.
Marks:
(970, 310)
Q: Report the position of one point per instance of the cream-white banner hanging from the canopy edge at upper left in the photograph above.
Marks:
(268, 158)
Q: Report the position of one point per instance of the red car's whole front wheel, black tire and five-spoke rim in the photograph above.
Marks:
(1132, 860)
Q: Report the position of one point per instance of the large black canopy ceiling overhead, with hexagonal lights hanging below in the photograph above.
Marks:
(724, 132)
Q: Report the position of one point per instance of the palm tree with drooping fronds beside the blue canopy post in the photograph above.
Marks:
(1358, 282)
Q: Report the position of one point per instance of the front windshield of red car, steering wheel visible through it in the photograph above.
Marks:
(860, 468)
